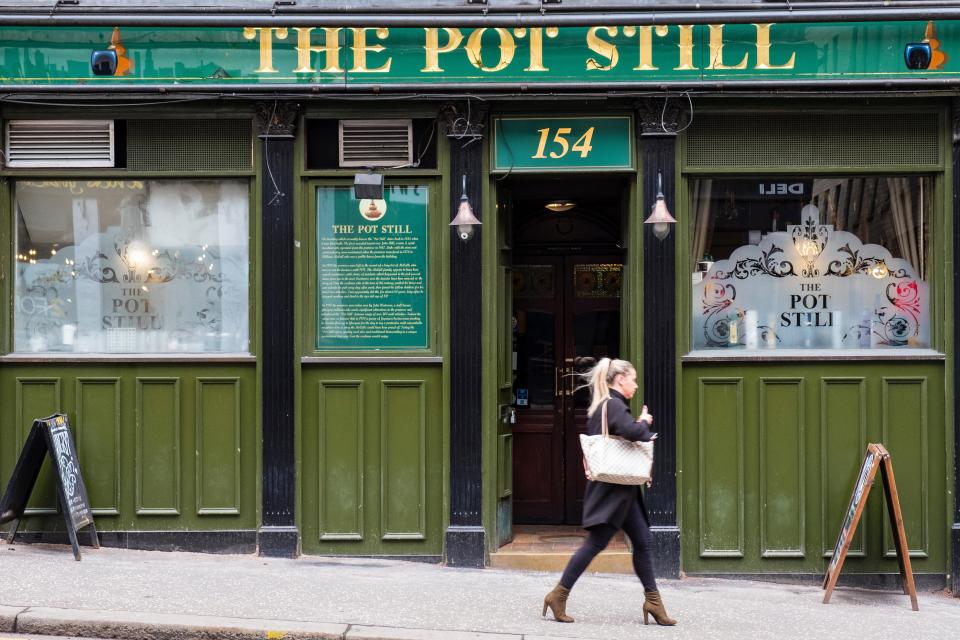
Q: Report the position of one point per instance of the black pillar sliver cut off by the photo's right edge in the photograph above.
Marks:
(955, 528)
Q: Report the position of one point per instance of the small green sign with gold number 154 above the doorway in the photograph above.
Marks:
(563, 144)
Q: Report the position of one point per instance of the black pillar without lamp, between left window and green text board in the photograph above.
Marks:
(276, 124)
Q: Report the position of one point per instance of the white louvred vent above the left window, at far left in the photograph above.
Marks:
(59, 143)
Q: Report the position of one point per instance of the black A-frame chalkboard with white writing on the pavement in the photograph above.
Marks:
(50, 436)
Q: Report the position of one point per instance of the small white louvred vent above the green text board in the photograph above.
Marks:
(376, 143)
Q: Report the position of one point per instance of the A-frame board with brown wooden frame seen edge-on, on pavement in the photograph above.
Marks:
(876, 457)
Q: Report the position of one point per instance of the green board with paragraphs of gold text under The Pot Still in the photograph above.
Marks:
(372, 276)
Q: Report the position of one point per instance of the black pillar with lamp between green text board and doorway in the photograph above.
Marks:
(465, 539)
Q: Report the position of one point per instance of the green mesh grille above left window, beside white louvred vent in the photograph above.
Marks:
(189, 145)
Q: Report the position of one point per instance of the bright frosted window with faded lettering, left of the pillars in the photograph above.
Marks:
(152, 266)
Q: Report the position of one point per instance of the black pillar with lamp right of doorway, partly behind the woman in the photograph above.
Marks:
(658, 151)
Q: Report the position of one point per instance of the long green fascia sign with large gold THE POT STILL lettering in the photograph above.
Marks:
(462, 57)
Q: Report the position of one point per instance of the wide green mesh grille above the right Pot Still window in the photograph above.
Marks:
(814, 140)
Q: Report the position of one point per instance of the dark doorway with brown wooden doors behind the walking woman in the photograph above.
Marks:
(567, 274)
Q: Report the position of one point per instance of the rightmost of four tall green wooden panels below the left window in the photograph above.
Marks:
(218, 446)
